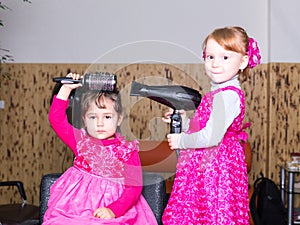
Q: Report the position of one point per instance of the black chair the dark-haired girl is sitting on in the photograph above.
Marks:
(154, 191)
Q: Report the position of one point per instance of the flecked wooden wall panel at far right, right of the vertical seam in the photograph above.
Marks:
(284, 115)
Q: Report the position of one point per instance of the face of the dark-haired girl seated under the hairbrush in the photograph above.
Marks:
(102, 123)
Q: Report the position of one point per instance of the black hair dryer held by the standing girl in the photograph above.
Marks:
(174, 96)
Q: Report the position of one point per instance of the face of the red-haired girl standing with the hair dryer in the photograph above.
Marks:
(220, 64)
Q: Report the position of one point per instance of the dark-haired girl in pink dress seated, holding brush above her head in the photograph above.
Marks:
(105, 182)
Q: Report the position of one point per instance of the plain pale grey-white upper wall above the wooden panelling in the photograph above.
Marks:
(118, 31)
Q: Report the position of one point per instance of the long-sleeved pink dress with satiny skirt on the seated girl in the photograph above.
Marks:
(105, 173)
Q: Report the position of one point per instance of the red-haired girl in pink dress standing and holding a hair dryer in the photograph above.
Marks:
(211, 182)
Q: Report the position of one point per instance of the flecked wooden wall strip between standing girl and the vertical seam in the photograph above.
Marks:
(256, 92)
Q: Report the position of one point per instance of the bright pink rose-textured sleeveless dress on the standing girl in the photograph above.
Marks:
(211, 185)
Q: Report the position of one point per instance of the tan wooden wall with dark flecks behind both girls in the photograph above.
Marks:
(29, 148)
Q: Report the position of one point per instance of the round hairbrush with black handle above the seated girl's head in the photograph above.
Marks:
(97, 81)
